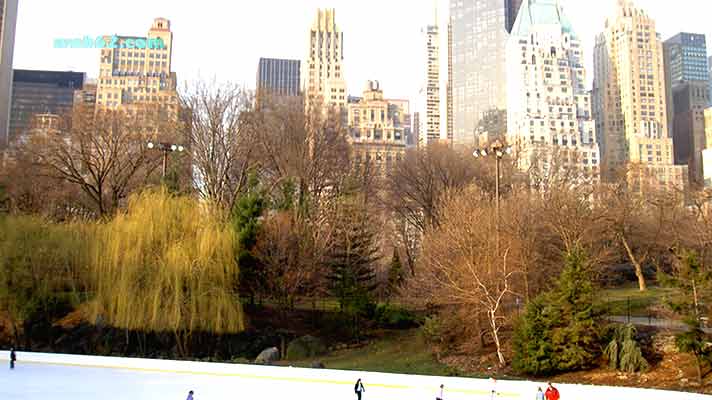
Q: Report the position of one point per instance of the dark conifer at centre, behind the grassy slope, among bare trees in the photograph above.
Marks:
(351, 258)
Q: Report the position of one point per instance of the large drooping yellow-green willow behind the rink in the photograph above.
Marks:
(167, 265)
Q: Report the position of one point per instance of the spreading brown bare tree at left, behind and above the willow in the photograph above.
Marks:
(104, 153)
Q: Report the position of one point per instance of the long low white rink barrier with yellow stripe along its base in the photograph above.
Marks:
(467, 386)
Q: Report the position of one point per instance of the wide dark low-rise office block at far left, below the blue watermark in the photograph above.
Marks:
(41, 92)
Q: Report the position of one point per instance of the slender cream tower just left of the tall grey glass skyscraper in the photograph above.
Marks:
(430, 92)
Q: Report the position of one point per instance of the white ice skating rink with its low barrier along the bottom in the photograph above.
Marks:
(60, 377)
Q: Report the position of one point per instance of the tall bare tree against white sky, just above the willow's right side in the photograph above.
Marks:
(219, 125)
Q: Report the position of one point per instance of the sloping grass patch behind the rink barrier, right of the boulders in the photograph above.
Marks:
(399, 352)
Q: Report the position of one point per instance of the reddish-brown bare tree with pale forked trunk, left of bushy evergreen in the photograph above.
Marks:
(463, 266)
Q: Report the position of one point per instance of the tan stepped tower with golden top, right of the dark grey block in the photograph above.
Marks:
(323, 70)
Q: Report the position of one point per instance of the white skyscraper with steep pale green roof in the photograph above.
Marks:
(548, 108)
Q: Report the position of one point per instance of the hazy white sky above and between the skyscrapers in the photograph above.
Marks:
(224, 39)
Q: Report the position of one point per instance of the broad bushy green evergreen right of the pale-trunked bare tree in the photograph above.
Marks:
(558, 331)
